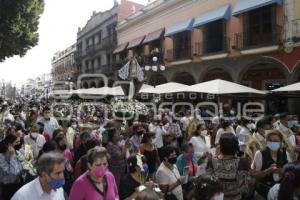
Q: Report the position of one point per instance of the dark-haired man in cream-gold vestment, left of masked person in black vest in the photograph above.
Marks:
(258, 139)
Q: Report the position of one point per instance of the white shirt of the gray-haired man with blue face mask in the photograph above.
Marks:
(33, 191)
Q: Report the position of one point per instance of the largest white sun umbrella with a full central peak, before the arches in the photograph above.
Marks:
(219, 86)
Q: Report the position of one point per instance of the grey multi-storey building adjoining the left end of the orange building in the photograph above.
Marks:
(96, 42)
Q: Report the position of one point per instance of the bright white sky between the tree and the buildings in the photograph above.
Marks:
(58, 28)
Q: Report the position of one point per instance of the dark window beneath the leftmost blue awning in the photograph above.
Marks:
(182, 45)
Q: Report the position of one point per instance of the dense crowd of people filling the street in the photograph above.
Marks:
(55, 154)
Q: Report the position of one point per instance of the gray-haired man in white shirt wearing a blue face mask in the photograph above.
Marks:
(48, 184)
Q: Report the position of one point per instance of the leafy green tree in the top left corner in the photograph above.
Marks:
(19, 20)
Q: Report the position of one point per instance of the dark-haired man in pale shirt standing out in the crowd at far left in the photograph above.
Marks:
(50, 123)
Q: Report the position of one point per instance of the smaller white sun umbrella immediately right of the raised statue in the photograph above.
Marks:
(163, 88)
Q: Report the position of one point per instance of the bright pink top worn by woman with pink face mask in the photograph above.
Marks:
(82, 189)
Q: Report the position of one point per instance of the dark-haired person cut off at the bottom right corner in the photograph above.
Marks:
(289, 188)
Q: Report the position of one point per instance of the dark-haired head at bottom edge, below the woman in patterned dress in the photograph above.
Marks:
(208, 188)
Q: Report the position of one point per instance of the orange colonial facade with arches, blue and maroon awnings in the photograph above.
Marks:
(247, 42)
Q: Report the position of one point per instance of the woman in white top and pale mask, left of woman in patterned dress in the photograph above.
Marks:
(198, 141)
